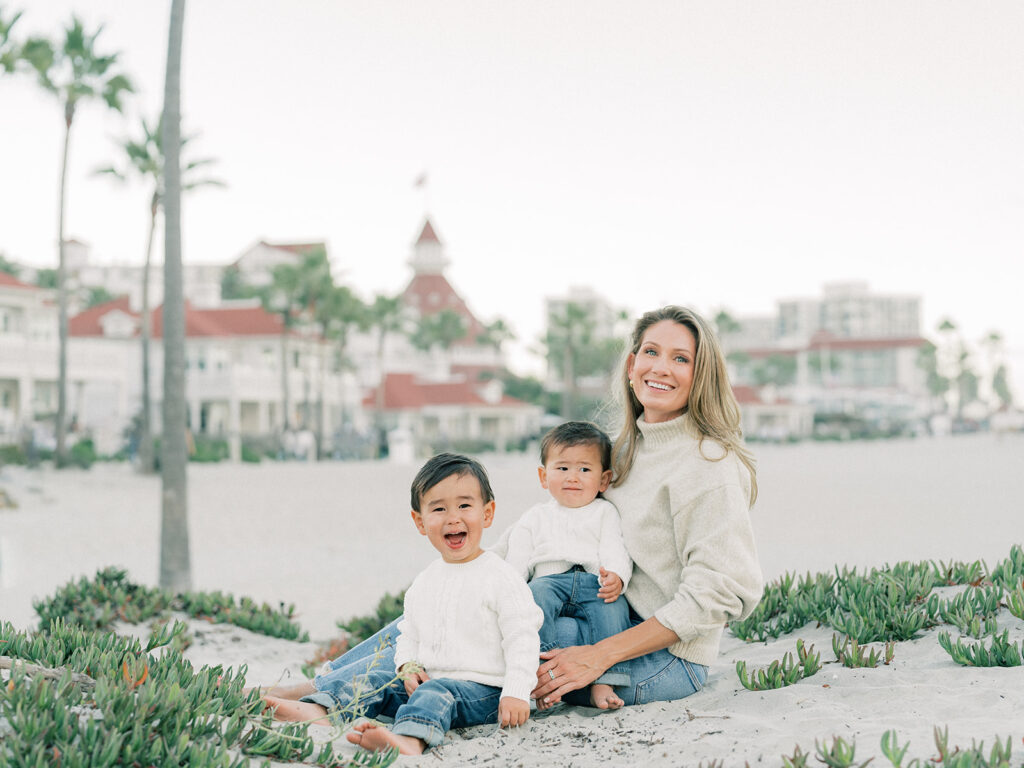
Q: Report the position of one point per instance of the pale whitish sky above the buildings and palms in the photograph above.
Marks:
(716, 154)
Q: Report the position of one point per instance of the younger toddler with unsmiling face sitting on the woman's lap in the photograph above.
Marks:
(571, 547)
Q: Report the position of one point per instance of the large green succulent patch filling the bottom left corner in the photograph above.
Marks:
(81, 698)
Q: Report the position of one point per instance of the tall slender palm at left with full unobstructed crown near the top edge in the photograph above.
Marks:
(73, 72)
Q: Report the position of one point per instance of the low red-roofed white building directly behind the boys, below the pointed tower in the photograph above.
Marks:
(467, 415)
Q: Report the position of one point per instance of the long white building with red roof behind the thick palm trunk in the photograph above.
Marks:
(234, 381)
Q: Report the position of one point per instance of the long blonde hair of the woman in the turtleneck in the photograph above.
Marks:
(712, 405)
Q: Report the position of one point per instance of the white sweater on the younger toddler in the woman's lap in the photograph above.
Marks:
(551, 539)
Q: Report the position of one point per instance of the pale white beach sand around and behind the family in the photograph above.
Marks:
(332, 538)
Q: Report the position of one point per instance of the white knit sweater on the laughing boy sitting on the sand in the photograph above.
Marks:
(475, 621)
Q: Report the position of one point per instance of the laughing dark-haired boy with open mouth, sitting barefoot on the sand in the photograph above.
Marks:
(468, 644)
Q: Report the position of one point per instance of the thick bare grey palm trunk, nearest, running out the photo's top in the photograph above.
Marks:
(176, 566)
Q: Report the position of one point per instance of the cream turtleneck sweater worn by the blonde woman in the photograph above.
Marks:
(687, 525)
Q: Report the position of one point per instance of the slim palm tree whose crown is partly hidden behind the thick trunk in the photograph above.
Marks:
(146, 159)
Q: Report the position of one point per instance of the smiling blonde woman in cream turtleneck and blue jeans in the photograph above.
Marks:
(685, 484)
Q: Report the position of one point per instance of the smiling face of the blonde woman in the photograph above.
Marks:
(662, 370)
